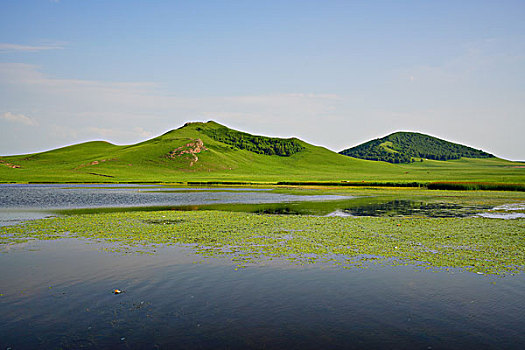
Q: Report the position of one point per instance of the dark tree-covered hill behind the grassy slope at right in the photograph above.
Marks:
(403, 147)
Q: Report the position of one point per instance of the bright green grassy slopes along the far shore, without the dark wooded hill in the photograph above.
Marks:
(212, 152)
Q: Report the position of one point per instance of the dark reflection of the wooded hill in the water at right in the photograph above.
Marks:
(409, 208)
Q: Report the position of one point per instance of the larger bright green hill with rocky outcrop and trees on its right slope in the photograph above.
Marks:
(195, 151)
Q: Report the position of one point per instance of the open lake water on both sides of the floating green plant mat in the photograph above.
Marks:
(59, 293)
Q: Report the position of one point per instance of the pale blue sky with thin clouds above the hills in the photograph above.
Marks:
(332, 73)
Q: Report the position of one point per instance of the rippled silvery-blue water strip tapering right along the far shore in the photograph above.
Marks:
(88, 196)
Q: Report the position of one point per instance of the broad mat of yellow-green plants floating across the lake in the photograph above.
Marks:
(488, 246)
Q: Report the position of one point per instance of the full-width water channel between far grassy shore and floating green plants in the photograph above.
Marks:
(22, 202)
